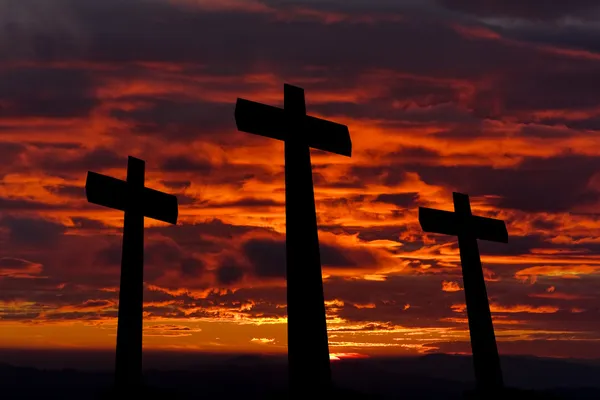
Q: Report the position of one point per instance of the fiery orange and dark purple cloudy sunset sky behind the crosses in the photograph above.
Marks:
(501, 102)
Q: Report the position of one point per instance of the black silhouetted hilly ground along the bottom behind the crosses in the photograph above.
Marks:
(194, 376)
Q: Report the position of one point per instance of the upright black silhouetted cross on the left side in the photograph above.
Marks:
(137, 202)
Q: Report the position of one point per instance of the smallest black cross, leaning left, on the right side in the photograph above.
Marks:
(469, 228)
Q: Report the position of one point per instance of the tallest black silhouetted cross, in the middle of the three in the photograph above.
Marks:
(308, 349)
